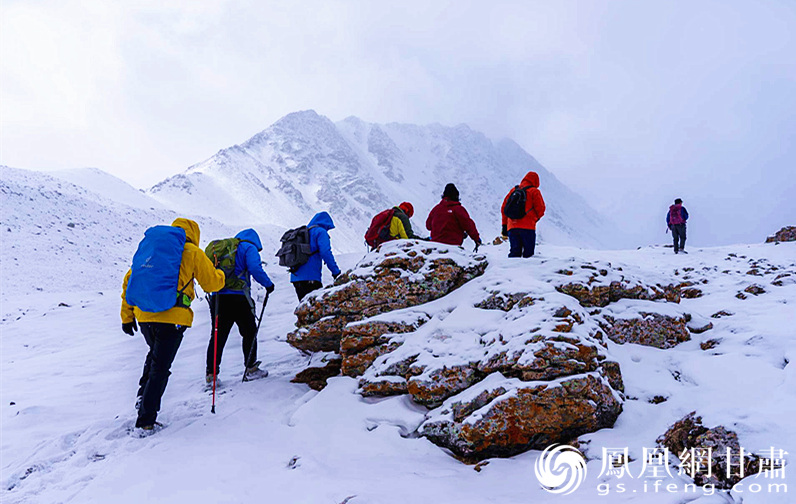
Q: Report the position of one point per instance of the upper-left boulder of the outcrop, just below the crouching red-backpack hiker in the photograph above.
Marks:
(399, 274)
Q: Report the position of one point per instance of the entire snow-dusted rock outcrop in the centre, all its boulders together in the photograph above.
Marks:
(505, 361)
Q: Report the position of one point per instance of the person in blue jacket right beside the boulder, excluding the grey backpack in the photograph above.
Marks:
(307, 277)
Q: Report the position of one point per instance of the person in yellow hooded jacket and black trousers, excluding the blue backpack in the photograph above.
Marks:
(163, 330)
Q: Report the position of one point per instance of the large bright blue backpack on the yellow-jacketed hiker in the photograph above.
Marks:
(152, 286)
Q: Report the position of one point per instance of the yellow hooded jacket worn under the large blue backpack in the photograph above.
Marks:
(195, 264)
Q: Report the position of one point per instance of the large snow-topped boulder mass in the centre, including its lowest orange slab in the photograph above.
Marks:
(507, 363)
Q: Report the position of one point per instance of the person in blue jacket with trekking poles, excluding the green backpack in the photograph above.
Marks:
(237, 307)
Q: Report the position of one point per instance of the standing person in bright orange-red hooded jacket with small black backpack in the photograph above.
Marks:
(524, 209)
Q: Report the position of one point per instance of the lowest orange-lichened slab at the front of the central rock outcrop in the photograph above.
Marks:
(501, 418)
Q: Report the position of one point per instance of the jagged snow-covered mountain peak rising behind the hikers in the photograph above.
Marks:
(305, 163)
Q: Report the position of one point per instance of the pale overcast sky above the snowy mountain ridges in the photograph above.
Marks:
(630, 103)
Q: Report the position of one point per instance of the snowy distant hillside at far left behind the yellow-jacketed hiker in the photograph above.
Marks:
(58, 236)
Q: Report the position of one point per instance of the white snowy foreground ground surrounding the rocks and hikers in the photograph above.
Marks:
(70, 375)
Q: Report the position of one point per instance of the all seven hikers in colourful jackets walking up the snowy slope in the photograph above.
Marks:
(169, 259)
